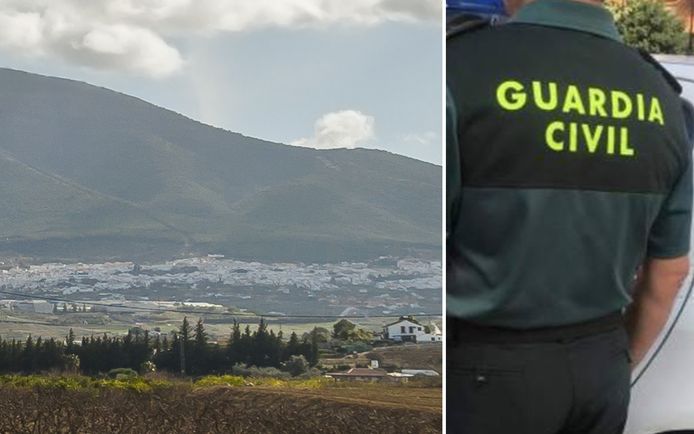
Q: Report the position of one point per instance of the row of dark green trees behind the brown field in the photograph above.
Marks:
(188, 351)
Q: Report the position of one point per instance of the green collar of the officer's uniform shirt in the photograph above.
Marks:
(569, 14)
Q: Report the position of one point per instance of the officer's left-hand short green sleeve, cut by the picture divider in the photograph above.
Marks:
(453, 173)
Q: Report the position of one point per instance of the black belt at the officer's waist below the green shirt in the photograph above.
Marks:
(463, 331)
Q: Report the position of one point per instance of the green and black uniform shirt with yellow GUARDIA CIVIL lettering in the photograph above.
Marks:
(568, 164)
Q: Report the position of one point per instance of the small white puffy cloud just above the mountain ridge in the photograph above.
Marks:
(342, 129)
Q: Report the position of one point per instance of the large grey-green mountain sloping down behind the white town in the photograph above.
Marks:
(87, 173)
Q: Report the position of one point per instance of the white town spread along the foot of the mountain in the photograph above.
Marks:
(383, 286)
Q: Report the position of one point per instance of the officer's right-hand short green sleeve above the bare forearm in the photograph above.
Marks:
(671, 231)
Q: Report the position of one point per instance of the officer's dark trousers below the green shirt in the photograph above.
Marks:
(561, 385)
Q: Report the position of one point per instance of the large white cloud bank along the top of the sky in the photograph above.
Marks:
(134, 35)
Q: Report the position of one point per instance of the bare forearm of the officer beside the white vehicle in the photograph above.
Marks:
(656, 289)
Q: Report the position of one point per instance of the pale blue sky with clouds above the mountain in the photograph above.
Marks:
(319, 73)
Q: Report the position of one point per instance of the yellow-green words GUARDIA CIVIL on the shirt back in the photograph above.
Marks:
(590, 137)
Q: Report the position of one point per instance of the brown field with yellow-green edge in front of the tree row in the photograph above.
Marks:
(215, 405)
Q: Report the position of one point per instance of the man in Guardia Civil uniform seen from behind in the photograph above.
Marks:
(568, 175)
